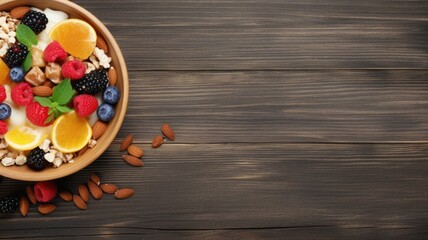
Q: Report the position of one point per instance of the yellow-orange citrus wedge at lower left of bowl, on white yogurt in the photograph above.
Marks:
(24, 138)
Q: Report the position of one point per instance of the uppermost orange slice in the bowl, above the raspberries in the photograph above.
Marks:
(77, 37)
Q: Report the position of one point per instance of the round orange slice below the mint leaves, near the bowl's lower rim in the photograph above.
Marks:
(70, 133)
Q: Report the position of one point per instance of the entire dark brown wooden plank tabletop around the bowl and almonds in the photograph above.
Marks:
(294, 119)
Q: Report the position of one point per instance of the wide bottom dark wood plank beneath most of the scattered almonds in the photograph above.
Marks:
(221, 190)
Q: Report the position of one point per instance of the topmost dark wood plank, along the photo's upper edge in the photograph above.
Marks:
(227, 34)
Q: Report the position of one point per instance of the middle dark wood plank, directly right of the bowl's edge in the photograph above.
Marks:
(281, 106)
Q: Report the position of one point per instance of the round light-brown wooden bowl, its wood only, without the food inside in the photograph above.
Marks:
(75, 11)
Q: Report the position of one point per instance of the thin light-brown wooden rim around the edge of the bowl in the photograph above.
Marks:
(74, 167)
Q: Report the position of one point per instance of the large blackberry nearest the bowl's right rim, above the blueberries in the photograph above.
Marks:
(91, 83)
